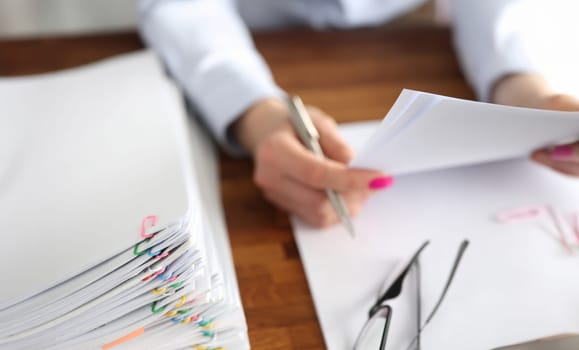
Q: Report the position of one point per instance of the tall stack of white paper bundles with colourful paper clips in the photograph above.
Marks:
(106, 241)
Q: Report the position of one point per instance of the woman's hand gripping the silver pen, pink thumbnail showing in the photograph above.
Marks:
(291, 176)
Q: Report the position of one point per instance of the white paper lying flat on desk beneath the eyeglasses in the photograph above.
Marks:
(515, 283)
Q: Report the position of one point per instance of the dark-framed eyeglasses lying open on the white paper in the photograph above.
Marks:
(374, 334)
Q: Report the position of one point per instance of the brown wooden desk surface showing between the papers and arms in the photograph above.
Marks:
(353, 75)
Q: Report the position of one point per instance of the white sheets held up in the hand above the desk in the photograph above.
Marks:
(427, 132)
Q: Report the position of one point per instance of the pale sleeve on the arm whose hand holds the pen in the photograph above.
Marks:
(209, 52)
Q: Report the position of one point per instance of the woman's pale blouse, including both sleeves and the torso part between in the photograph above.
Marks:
(207, 47)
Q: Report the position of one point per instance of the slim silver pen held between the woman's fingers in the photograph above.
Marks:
(307, 132)
